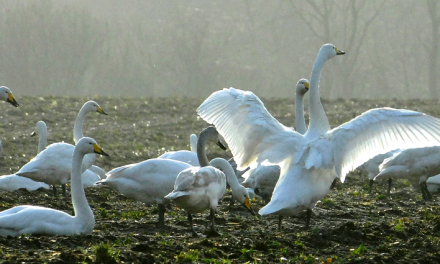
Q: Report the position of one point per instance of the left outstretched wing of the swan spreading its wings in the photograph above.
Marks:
(252, 133)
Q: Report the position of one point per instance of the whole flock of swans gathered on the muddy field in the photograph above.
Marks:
(290, 169)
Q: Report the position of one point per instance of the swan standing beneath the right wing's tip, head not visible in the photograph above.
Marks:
(416, 164)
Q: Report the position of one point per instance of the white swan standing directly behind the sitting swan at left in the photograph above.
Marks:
(53, 164)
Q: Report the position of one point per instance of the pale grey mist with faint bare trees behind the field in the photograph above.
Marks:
(194, 47)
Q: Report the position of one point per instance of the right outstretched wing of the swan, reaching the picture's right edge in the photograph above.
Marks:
(378, 131)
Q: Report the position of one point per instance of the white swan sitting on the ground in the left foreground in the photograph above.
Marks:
(28, 219)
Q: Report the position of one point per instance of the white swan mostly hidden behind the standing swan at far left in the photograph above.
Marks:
(14, 182)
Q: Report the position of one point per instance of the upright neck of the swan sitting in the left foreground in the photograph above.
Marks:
(79, 200)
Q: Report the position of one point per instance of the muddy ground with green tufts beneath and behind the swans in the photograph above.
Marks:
(349, 225)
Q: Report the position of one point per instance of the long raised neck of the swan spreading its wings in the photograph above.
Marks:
(318, 121)
